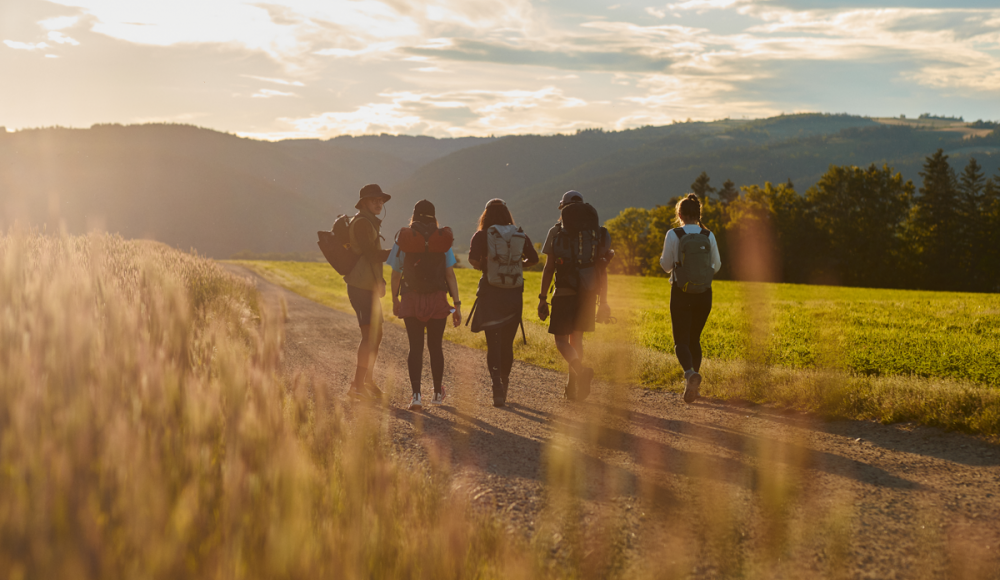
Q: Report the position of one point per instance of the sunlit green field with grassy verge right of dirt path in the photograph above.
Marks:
(886, 355)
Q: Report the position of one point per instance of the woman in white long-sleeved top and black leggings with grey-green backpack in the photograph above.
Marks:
(691, 257)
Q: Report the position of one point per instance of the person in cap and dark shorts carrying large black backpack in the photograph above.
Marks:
(577, 251)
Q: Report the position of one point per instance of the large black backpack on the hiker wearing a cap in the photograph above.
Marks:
(580, 248)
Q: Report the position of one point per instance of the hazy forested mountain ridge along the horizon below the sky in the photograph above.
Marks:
(222, 194)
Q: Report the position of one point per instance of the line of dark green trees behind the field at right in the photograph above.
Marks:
(857, 226)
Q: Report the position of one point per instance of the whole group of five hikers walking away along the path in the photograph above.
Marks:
(577, 250)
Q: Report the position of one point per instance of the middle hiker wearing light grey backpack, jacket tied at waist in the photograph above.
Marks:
(501, 250)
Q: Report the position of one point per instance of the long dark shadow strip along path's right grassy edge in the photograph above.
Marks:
(925, 441)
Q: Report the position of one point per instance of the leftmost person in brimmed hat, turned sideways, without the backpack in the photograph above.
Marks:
(366, 286)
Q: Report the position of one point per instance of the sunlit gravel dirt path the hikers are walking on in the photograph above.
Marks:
(711, 489)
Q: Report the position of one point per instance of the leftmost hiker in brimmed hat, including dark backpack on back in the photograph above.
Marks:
(354, 249)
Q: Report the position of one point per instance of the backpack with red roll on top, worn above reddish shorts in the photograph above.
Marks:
(424, 265)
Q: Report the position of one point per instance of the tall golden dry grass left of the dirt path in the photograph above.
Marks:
(145, 433)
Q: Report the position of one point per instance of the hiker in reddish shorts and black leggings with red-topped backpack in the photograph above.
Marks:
(422, 262)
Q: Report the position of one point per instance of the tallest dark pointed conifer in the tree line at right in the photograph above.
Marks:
(935, 223)
